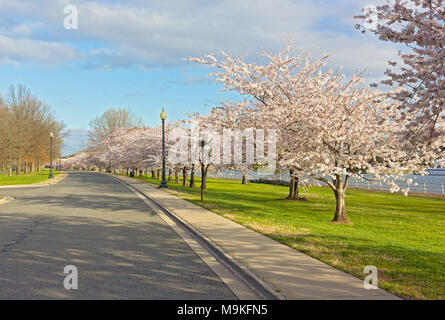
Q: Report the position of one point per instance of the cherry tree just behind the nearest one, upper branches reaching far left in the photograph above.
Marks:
(277, 82)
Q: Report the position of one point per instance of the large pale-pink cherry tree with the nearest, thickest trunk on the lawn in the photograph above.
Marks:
(328, 128)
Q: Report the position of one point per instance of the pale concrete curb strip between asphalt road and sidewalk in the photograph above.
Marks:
(244, 273)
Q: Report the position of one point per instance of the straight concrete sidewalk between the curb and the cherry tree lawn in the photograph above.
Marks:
(293, 273)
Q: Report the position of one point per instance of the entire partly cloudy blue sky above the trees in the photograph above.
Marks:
(129, 53)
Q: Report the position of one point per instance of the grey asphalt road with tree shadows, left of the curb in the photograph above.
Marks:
(121, 248)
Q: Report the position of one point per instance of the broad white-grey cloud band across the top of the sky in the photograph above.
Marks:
(149, 34)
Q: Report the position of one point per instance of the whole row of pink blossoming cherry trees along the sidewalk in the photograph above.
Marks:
(325, 126)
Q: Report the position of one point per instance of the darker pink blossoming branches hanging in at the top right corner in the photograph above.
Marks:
(420, 26)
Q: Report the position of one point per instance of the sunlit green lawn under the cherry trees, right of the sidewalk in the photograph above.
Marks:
(404, 237)
